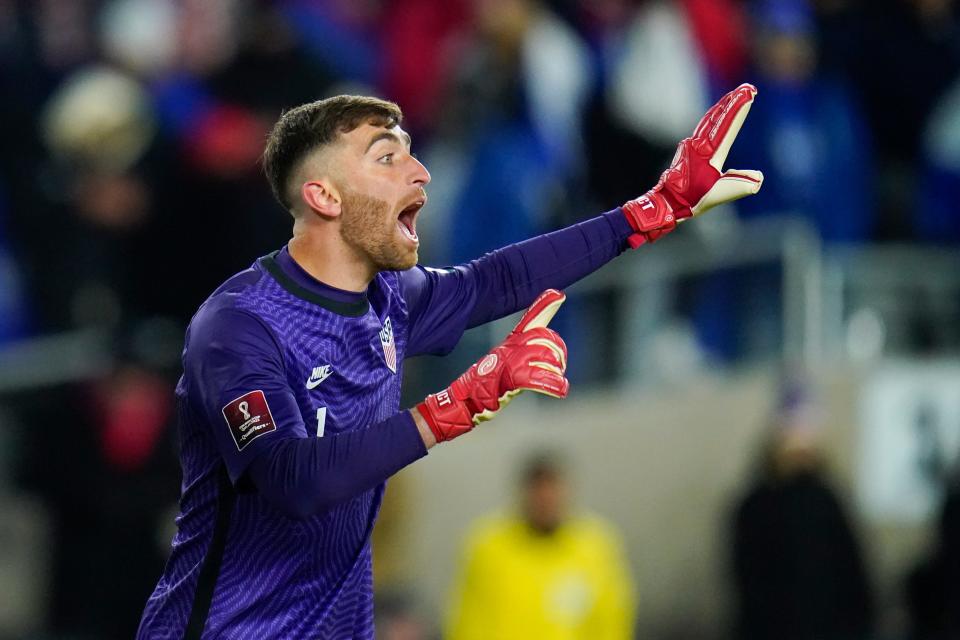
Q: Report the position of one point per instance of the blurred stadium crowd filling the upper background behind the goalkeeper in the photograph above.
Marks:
(132, 128)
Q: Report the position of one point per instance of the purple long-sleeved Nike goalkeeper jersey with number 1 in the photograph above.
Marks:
(289, 426)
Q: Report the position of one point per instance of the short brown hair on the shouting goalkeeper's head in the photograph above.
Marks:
(309, 126)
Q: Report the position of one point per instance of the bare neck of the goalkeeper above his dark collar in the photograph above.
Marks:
(324, 255)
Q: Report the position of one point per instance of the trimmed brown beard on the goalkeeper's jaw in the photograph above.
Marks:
(368, 227)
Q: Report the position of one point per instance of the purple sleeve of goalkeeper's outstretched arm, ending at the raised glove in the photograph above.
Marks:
(443, 303)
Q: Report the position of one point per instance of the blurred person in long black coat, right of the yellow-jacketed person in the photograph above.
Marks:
(797, 566)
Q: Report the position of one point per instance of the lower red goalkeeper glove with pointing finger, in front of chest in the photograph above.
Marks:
(532, 358)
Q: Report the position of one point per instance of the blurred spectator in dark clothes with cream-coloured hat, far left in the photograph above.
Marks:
(92, 203)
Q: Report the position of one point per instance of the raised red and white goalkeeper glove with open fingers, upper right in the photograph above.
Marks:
(695, 180)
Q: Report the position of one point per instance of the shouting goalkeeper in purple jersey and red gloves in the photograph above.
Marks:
(289, 412)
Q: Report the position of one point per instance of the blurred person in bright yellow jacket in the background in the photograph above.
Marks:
(540, 573)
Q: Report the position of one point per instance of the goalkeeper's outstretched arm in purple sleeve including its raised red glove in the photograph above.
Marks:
(445, 302)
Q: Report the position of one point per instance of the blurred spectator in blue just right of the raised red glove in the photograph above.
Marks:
(806, 132)
